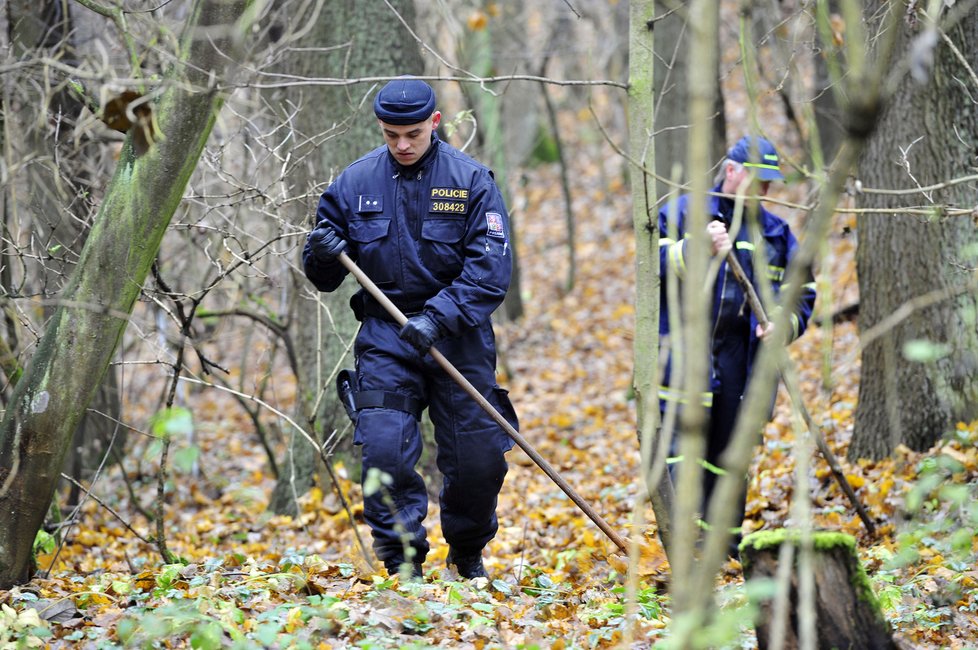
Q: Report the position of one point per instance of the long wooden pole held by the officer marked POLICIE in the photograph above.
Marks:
(447, 366)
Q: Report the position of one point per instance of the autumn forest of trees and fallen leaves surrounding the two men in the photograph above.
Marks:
(191, 506)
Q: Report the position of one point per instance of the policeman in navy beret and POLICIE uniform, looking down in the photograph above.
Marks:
(427, 224)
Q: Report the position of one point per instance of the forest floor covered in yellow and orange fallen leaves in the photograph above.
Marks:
(252, 579)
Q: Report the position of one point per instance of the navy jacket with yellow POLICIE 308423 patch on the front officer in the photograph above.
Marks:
(434, 237)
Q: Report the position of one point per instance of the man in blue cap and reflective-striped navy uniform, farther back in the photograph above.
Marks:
(734, 331)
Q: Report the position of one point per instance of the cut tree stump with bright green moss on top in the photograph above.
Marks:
(846, 612)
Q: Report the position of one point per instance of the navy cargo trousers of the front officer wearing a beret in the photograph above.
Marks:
(471, 445)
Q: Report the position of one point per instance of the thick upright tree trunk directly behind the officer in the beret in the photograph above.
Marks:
(336, 127)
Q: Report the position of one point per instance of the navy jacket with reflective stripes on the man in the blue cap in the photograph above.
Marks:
(733, 339)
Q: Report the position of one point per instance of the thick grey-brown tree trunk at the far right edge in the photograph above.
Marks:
(913, 395)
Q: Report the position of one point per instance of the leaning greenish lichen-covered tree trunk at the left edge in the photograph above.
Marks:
(84, 332)
